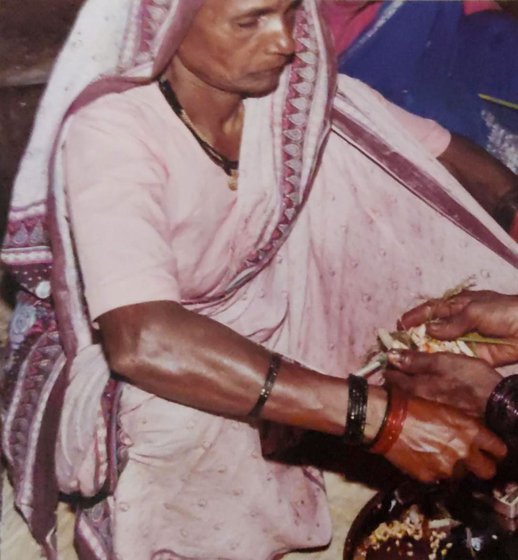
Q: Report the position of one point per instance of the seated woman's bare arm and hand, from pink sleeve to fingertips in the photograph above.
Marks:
(190, 359)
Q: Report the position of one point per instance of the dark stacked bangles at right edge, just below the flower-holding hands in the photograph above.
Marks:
(502, 408)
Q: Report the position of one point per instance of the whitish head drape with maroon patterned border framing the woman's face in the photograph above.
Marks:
(114, 46)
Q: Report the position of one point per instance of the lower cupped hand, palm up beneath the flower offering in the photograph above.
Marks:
(453, 379)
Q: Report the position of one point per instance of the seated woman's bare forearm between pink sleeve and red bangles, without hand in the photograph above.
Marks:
(188, 358)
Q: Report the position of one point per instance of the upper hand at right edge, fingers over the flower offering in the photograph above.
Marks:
(489, 314)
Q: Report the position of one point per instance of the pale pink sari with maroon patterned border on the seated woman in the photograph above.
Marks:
(347, 215)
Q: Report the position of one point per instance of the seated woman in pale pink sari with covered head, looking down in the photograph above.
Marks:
(222, 228)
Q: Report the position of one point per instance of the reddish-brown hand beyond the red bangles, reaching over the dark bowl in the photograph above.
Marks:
(439, 442)
